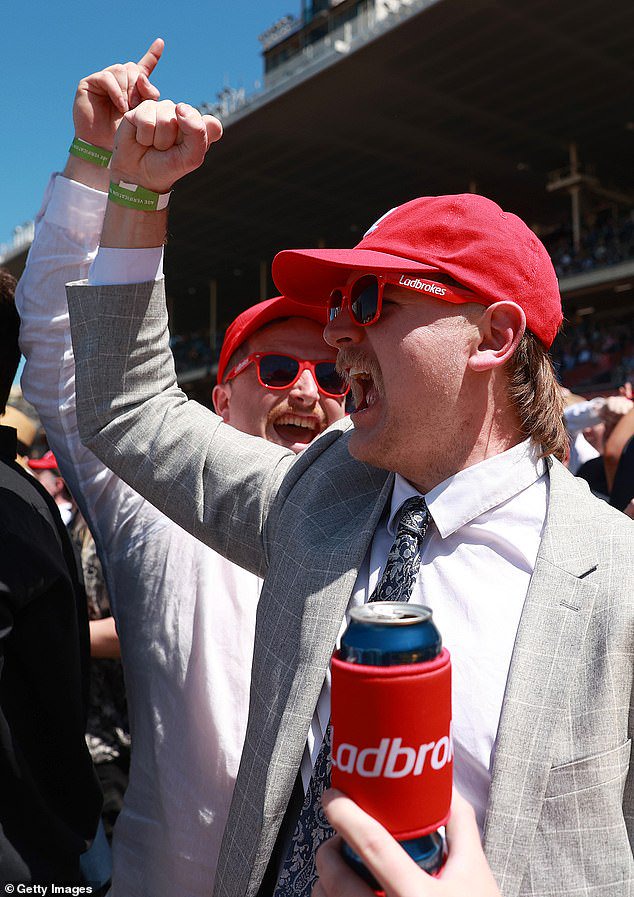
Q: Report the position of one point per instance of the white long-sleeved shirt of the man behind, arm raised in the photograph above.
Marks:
(185, 615)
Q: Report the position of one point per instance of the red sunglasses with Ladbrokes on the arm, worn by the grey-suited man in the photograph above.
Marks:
(364, 296)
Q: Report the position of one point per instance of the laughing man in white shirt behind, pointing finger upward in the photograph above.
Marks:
(185, 615)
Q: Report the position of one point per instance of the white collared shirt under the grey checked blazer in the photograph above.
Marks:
(477, 560)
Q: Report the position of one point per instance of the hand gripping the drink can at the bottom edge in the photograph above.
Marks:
(465, 872)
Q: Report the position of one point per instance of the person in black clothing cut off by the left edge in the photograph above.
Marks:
(49, 795)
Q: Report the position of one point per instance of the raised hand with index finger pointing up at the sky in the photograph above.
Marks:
(103, 98)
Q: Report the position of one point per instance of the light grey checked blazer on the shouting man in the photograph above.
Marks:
(562, 789)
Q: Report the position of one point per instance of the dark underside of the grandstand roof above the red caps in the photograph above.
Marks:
(461, 95)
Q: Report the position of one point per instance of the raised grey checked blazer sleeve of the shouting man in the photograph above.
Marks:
(215, 482)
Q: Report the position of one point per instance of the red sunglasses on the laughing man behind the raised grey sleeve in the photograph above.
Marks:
(277, 371)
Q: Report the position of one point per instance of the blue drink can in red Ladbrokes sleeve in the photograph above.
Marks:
(391, 726)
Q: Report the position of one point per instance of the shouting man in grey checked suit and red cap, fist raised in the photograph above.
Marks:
(442, 317)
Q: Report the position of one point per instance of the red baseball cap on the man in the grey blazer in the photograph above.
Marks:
(468, 237)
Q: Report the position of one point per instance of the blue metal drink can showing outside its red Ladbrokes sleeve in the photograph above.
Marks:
(390, 633)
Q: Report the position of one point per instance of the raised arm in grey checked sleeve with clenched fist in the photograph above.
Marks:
(213, 481)
